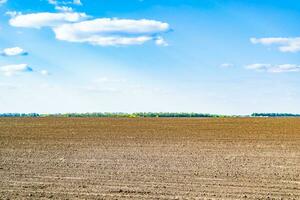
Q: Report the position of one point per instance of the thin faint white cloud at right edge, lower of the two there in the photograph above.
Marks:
(274, 68)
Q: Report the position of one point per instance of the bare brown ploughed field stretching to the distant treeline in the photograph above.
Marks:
(149, 158)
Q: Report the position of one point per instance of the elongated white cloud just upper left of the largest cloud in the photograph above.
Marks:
(45, 19)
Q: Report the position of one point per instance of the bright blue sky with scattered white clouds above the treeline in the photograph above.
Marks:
(205, 56)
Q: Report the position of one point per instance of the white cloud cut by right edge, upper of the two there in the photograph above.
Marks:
(284, 44)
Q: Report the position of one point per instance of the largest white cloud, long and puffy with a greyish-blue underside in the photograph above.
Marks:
(109, 32)
